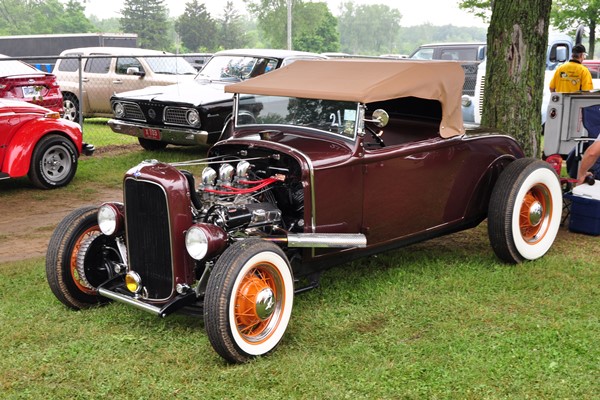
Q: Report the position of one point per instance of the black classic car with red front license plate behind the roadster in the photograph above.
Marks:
(196, 112)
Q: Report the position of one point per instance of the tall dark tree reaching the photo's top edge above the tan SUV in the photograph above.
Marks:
(147, 18)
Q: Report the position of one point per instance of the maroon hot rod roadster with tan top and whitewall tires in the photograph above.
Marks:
(328, 161)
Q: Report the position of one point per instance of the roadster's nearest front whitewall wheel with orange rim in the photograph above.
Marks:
(248, 301)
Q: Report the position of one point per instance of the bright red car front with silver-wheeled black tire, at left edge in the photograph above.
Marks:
(36, 142)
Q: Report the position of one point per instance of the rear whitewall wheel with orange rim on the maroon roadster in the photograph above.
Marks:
(524, 211)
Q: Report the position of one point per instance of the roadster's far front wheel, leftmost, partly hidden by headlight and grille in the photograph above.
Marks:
(79, 259)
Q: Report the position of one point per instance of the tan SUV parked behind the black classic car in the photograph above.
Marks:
(109, 70)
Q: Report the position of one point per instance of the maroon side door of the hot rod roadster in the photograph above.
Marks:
(412, 188)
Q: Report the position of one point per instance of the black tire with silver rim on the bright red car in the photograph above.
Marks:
(53, 163)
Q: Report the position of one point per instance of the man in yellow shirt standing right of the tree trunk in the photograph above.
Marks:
(572, 76)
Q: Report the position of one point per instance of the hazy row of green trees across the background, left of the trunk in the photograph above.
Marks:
(353, 28)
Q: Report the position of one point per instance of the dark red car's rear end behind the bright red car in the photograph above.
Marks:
(21, 81)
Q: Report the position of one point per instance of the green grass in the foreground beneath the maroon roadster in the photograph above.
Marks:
(431, 321)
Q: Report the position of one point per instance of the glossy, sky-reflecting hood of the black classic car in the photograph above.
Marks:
(194, 93)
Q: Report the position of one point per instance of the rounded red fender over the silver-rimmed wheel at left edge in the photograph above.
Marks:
(20, 149)
